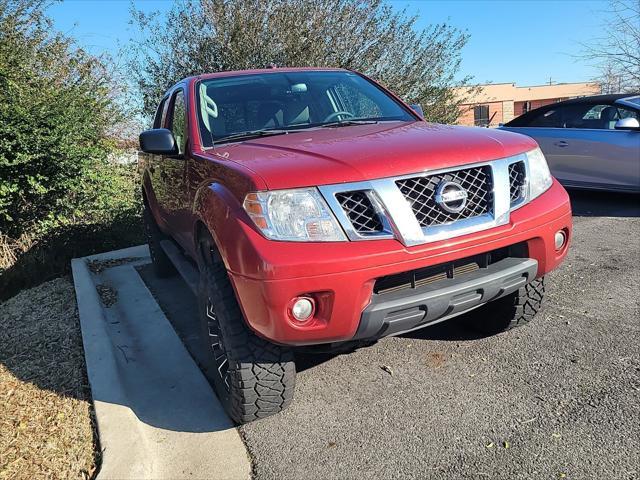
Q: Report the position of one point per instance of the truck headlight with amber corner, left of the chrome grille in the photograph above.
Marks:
(299, 215)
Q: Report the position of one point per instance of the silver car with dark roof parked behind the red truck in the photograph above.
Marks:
(589, 142)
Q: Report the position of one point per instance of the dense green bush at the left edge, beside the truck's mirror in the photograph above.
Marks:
(59, 195)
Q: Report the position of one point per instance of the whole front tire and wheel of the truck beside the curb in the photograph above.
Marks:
(252, 377)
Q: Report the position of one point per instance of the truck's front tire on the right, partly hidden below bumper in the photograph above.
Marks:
(512, 311)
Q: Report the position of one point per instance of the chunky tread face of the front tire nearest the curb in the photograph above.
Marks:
(262, 374)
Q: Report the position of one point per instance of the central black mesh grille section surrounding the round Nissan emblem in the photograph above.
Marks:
(420, 192)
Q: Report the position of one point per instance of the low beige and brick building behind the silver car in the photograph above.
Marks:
(500, 102)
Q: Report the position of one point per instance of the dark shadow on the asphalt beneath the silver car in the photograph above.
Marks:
(604, 204)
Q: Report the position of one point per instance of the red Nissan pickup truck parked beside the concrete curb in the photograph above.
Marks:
(314, 207)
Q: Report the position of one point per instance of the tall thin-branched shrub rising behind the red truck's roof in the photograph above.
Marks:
(370, 36)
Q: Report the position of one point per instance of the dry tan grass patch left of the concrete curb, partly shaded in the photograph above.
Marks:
(45, 412)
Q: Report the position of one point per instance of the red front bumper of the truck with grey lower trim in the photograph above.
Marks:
(267, 275)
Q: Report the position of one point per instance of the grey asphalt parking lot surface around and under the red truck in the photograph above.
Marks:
(559, 398)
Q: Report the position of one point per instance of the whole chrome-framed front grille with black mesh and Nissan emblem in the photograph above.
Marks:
(431, 206)
